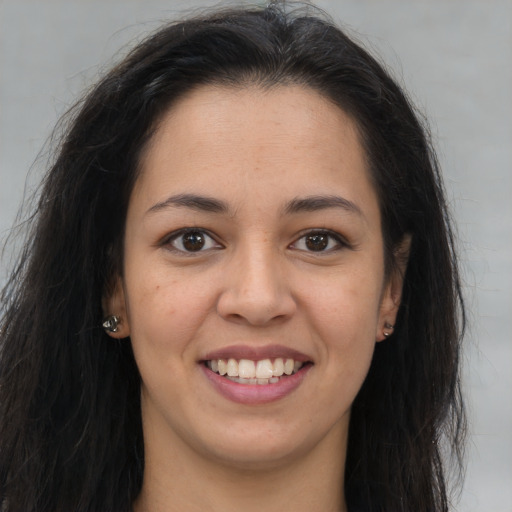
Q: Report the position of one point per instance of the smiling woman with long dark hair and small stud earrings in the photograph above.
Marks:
(239, 290)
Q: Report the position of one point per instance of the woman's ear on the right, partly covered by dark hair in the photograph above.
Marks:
(392, 293)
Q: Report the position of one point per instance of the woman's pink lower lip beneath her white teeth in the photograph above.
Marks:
(256, 393)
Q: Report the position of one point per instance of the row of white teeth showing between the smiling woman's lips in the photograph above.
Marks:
(249, 372)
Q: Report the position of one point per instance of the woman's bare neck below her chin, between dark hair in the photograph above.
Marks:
(178, 478)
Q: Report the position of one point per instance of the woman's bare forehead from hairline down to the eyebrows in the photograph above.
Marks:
(241, 142)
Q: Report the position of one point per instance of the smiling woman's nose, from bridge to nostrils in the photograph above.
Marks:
(256, 289)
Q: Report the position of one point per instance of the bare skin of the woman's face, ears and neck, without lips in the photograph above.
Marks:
(255, 283)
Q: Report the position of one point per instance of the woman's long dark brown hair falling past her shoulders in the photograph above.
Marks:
(70, 425)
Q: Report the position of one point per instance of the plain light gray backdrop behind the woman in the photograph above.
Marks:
(454, 57)
